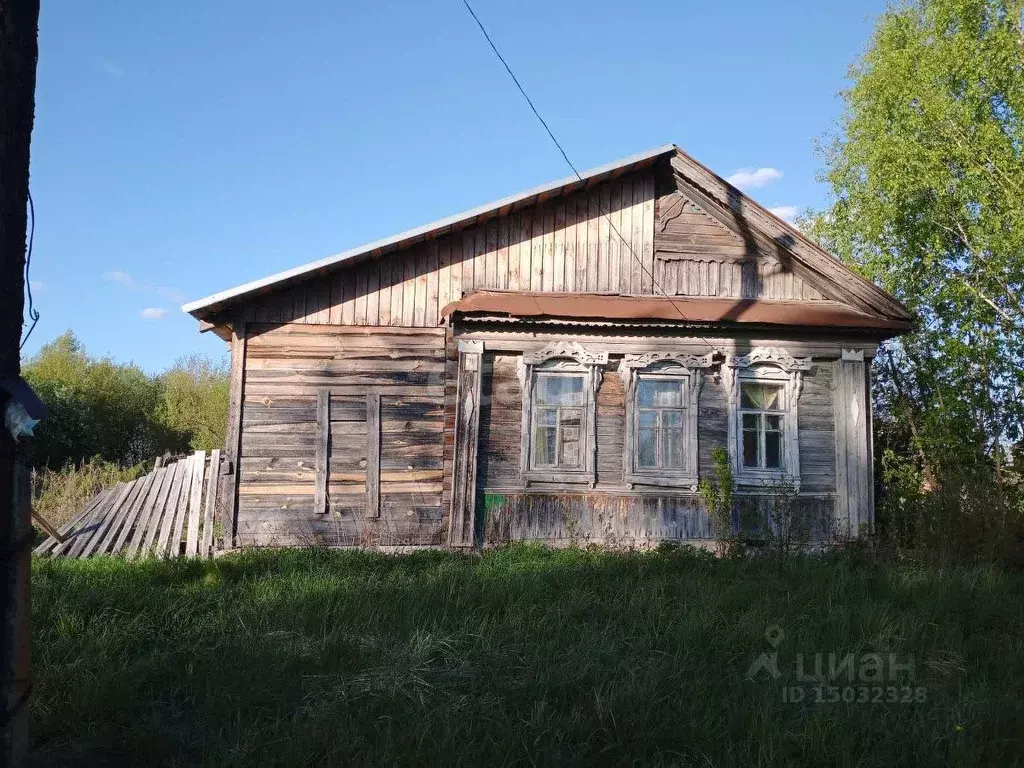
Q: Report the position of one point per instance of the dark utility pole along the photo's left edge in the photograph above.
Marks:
(19, 53)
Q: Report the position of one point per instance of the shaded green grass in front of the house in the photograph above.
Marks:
(525, 657)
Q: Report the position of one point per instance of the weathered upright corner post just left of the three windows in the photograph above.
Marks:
(467, 425)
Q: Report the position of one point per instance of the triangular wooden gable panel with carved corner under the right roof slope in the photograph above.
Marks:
(695, 255)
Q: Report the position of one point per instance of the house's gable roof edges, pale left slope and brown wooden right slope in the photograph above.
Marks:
(758, 227)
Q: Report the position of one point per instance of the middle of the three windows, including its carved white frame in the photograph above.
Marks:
(662, 417)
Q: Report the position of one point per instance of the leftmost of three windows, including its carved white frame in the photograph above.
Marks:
(560, 441)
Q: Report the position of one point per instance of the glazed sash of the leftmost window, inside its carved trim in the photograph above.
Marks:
(560, 419)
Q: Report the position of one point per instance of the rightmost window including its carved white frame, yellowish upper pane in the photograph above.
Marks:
(764, 389)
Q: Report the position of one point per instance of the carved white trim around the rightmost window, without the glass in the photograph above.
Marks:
(777, 366)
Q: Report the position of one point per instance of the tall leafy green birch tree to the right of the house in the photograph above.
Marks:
(928, 179)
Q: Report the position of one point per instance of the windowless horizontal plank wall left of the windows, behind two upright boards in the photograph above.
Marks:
(286, 369)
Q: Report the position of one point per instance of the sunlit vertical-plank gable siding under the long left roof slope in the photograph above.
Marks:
(564, 244)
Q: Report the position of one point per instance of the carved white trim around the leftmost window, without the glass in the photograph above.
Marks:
(569, 358)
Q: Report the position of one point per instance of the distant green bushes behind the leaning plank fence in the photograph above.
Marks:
(117, 412)
